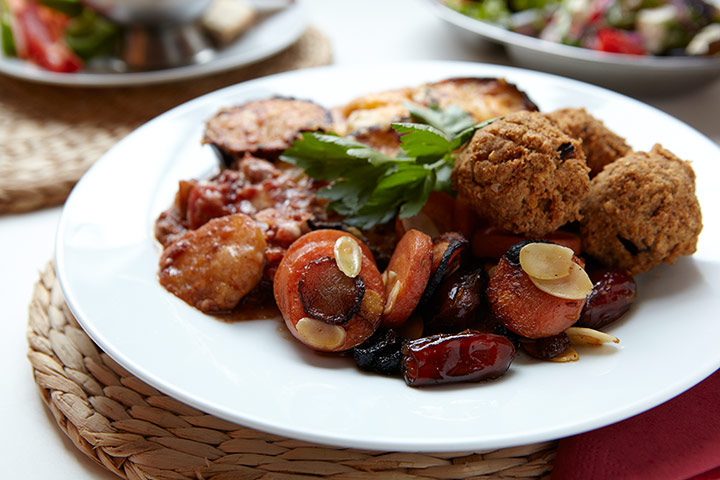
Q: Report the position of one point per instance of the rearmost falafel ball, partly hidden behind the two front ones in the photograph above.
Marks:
(600, 145)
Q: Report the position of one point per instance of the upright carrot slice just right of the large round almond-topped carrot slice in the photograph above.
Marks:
(406, 277)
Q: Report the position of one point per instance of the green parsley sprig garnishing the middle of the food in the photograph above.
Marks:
(368, 187)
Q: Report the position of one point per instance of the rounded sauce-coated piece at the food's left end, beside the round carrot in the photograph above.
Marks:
(214, 267)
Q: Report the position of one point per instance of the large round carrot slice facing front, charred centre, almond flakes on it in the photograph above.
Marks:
(322, 306)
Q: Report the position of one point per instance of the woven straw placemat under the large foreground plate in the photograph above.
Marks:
(136, 432)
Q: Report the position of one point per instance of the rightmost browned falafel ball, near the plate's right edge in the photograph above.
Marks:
(642, 211)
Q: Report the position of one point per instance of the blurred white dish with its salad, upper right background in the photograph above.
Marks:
(636, 46)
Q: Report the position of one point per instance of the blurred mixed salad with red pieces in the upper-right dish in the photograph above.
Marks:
(635, 27)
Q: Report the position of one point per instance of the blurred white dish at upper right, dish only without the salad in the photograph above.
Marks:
(628, 73)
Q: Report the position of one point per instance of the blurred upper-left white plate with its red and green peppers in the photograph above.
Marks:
(62, 42)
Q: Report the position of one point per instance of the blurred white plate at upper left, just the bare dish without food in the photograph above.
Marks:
(269, 36)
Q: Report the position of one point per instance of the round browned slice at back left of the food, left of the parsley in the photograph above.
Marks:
(263, 128)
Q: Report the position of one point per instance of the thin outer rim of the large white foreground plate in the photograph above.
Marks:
(419, 445)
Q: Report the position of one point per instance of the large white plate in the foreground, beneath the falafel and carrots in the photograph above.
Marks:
(254, 373)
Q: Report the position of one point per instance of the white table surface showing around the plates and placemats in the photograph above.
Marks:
(362, 32)
